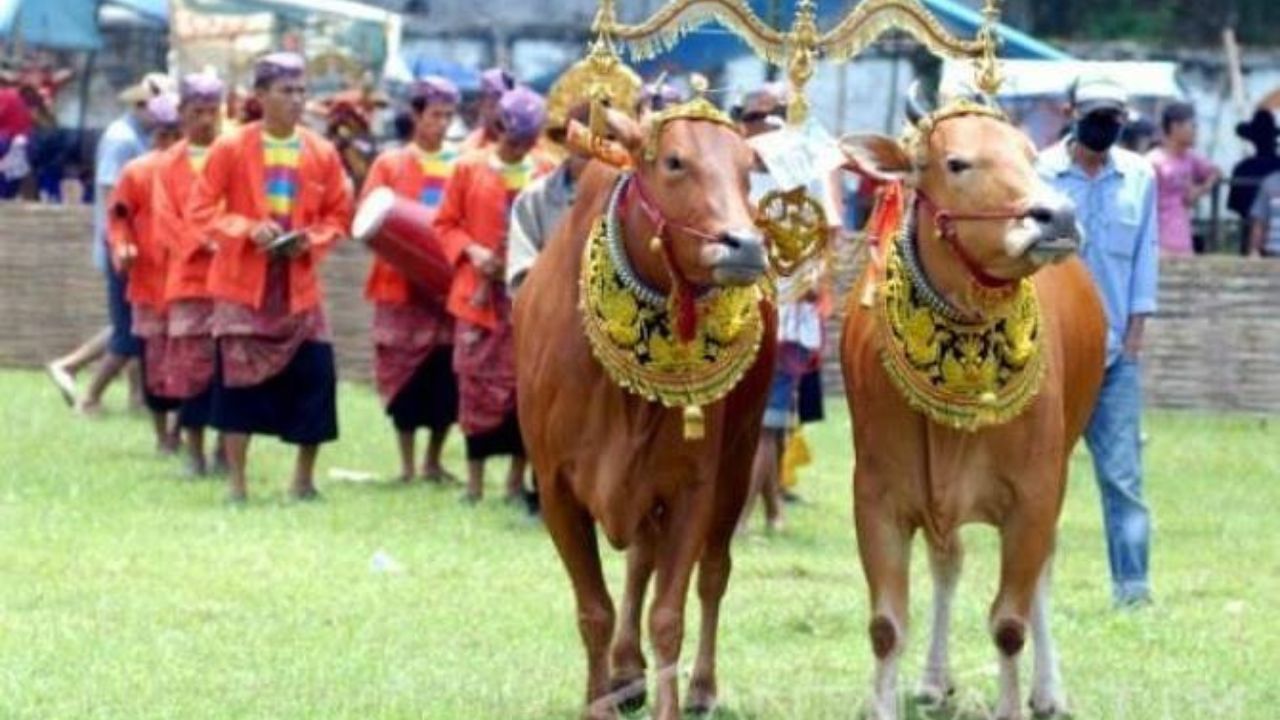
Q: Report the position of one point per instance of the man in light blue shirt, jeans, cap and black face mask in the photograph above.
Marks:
(1116, 199)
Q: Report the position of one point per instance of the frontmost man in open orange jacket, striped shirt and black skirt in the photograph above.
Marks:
(275, 200)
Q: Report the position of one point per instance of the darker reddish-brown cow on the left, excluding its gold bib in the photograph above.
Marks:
(605, 455)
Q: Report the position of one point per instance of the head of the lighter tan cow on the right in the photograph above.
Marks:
(977, 189)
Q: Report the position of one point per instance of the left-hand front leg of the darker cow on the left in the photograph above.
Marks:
(574, 534)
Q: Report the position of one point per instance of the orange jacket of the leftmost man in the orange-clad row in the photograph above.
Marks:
(129, 225)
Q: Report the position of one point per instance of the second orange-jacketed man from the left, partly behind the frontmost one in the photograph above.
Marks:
(191, 350)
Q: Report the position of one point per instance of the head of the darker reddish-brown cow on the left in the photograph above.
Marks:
(691, 193)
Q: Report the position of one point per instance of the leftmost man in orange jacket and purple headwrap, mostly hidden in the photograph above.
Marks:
(140, 256)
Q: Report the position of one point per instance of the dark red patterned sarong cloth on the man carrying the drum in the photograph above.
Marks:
(405, 336)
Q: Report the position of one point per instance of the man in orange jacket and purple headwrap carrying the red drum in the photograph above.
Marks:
(413, 335)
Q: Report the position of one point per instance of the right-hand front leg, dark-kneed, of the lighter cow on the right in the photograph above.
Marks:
(1027, 541)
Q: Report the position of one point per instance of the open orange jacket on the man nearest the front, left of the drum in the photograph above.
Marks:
(230, 200)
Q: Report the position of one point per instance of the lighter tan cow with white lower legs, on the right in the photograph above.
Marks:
(984, 221)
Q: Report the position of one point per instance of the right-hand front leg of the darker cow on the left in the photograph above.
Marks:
(680, 543)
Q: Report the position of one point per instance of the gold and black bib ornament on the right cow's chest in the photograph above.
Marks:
(961, 375)
